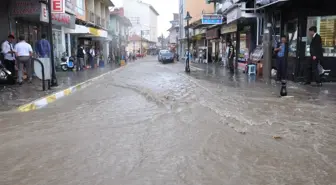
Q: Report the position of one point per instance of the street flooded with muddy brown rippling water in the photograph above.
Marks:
(152, 124)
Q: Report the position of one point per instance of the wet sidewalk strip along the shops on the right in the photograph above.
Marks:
(219, 74)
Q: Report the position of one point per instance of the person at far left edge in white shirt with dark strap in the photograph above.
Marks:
(9, 54)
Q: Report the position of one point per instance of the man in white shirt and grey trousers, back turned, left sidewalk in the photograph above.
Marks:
(24, 52)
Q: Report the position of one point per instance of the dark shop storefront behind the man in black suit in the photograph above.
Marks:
(295, 26)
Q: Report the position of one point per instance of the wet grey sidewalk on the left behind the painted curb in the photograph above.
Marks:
(12, 96)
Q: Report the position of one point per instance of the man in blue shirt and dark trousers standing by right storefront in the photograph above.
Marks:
(281, 62)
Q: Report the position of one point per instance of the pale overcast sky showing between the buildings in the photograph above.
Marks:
(165, 9)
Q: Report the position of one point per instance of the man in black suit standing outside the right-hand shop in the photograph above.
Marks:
(316, 53)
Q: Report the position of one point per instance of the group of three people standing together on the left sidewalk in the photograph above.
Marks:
(17, 57)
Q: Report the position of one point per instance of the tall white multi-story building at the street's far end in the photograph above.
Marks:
(143, 17)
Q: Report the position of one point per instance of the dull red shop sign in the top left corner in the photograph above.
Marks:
(25, 8)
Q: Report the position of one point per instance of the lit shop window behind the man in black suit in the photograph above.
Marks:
(326, 27)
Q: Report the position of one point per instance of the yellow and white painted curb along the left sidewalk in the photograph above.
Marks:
(44, 101)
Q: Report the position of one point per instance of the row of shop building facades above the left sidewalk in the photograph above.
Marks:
(84, 22)
